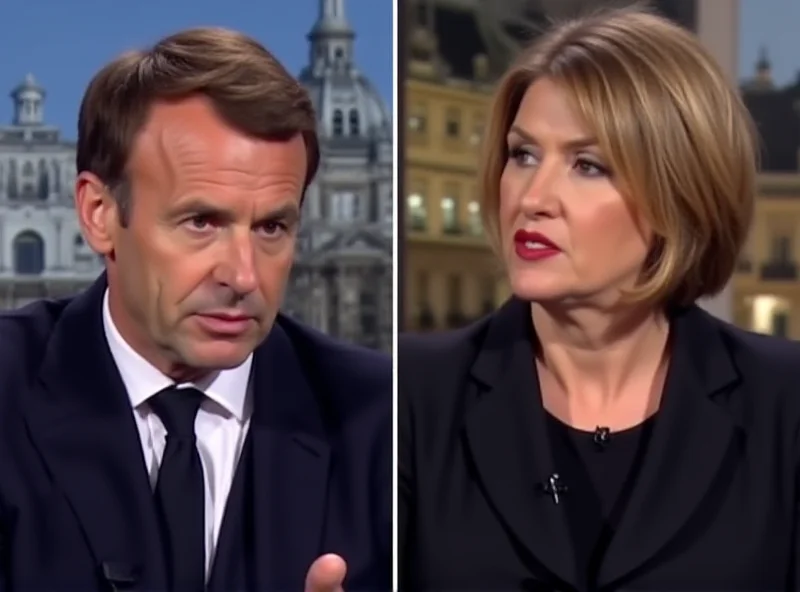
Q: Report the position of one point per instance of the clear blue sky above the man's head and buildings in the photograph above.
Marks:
(64, 42)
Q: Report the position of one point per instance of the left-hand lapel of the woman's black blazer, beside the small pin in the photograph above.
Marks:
(507, 436)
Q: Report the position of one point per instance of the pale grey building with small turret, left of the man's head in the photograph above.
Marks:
(42, 252)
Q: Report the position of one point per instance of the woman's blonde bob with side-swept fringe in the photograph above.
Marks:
(674, 130)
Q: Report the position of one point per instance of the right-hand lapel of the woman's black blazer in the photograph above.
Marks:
(687, 455)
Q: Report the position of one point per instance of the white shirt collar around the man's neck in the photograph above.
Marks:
(228, 388)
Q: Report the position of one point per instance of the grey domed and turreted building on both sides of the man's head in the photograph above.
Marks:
(342, 280)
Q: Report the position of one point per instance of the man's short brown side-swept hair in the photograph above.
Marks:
(247, 85)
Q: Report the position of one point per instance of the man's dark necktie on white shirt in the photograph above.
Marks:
(180, 491)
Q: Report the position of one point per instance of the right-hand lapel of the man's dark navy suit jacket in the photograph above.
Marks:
(291, 456)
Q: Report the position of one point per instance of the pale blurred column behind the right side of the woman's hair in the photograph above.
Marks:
(718, 28)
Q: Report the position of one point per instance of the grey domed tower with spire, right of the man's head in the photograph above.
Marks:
(342, 279)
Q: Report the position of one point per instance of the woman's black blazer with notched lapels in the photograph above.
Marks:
(715, 507)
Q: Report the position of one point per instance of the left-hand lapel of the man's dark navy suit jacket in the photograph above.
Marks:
(81, 421)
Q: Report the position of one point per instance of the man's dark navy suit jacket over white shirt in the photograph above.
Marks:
(75, 502)
